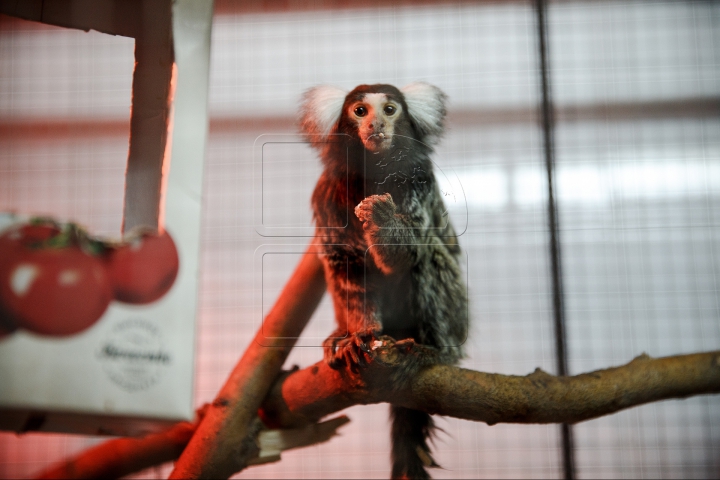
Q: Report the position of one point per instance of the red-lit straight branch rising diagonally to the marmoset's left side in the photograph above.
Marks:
(225, 440)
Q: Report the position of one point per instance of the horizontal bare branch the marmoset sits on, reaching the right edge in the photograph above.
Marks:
(309, 394)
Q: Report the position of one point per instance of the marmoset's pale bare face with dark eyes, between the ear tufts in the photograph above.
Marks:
(376, 116)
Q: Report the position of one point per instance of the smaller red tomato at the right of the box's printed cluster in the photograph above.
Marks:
(144, 269)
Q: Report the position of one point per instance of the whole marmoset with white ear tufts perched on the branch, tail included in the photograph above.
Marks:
(391, 256)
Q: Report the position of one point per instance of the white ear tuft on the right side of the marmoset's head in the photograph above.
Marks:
(426, 105)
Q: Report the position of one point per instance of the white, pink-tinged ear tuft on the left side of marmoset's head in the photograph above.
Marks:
(321, 109)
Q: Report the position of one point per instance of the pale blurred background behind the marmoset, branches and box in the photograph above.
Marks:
(635, 87)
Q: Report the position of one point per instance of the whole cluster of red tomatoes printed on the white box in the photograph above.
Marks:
(55, 279)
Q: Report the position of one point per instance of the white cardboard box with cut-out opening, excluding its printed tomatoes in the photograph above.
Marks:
(132, 371)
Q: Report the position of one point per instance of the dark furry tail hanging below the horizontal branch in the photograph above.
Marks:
(410, 452)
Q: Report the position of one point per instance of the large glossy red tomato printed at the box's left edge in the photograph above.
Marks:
(50, 290)
